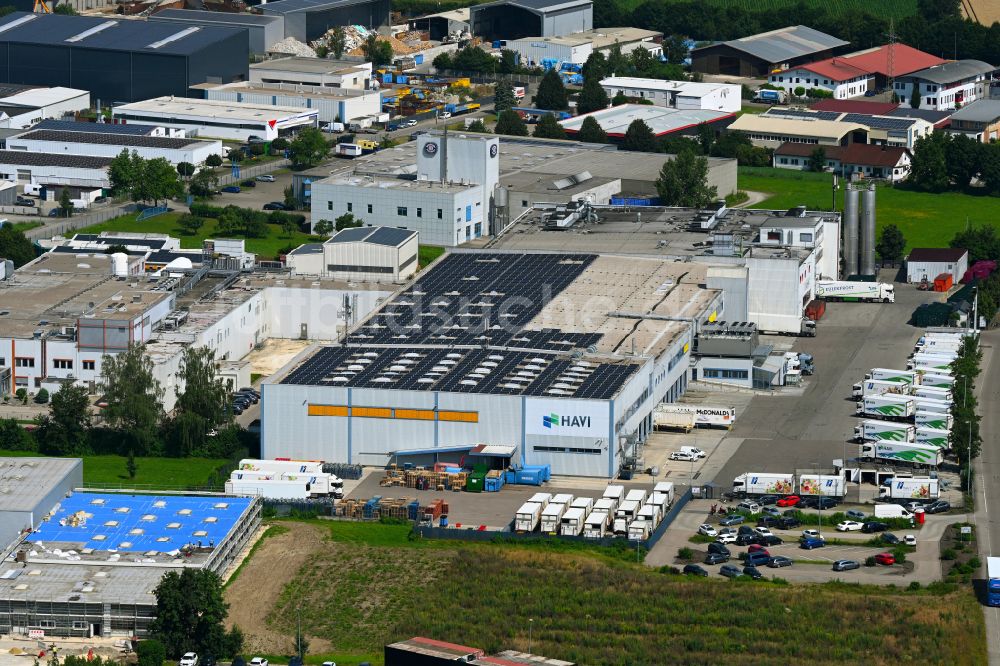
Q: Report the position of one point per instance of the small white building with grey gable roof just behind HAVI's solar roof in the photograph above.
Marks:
(360, 254)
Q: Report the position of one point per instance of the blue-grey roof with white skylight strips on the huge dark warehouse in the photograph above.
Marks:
(108, 34)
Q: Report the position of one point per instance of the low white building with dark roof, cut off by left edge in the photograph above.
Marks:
(53, 169)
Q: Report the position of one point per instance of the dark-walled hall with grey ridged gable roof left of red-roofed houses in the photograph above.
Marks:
(758, 55)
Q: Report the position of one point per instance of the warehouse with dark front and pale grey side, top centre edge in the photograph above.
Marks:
(516, 19)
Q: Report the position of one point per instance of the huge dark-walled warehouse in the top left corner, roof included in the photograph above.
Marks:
(118, 60)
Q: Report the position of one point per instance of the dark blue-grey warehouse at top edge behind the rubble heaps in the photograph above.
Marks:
(306, 20)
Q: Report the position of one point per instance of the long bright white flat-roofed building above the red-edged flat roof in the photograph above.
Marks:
(676, 94)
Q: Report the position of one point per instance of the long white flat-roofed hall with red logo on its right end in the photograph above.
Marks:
(217, 119)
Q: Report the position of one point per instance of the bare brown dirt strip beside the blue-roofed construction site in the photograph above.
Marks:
(258, 586)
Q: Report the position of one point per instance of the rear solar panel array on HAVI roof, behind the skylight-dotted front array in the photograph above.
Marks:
(480, 299)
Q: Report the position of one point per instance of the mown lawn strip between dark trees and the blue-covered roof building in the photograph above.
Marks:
(153, 473)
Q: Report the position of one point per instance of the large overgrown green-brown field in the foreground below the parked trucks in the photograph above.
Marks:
(370, 584)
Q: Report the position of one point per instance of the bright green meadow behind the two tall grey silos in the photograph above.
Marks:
(926, 220)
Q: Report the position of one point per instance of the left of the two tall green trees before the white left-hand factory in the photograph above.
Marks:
(134, 398)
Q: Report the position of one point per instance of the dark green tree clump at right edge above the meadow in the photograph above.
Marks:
(951, 161)
